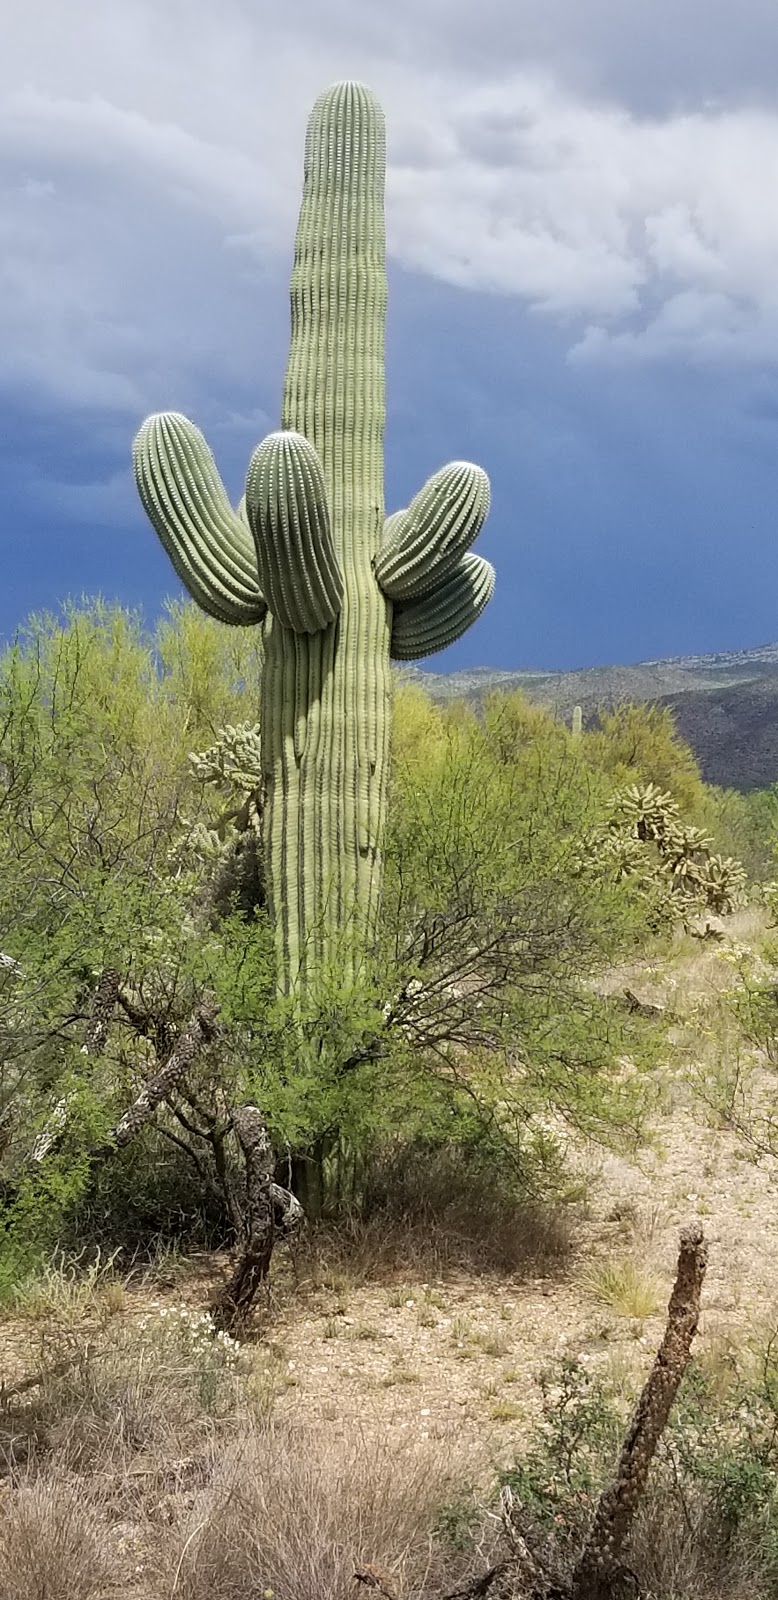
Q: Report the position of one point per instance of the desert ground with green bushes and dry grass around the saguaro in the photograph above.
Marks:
(476, 1150)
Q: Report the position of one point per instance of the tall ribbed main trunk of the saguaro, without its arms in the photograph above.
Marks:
(327, 697)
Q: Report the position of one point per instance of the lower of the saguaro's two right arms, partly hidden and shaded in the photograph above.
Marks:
(436, 620)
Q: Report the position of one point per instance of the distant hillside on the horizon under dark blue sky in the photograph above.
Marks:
(726, 705)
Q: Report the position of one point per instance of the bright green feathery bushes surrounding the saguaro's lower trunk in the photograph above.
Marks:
(130, 796)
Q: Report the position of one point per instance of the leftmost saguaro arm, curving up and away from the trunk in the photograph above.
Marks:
(206, 540)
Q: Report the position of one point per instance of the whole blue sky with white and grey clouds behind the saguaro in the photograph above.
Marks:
(583, 290)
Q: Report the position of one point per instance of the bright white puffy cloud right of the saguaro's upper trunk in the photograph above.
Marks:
(656, 230)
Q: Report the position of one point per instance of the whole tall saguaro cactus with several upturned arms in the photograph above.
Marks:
(308, 554)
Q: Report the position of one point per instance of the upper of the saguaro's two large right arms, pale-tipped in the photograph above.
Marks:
(423, 545)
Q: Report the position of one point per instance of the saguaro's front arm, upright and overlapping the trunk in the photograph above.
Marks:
(289, 516)
